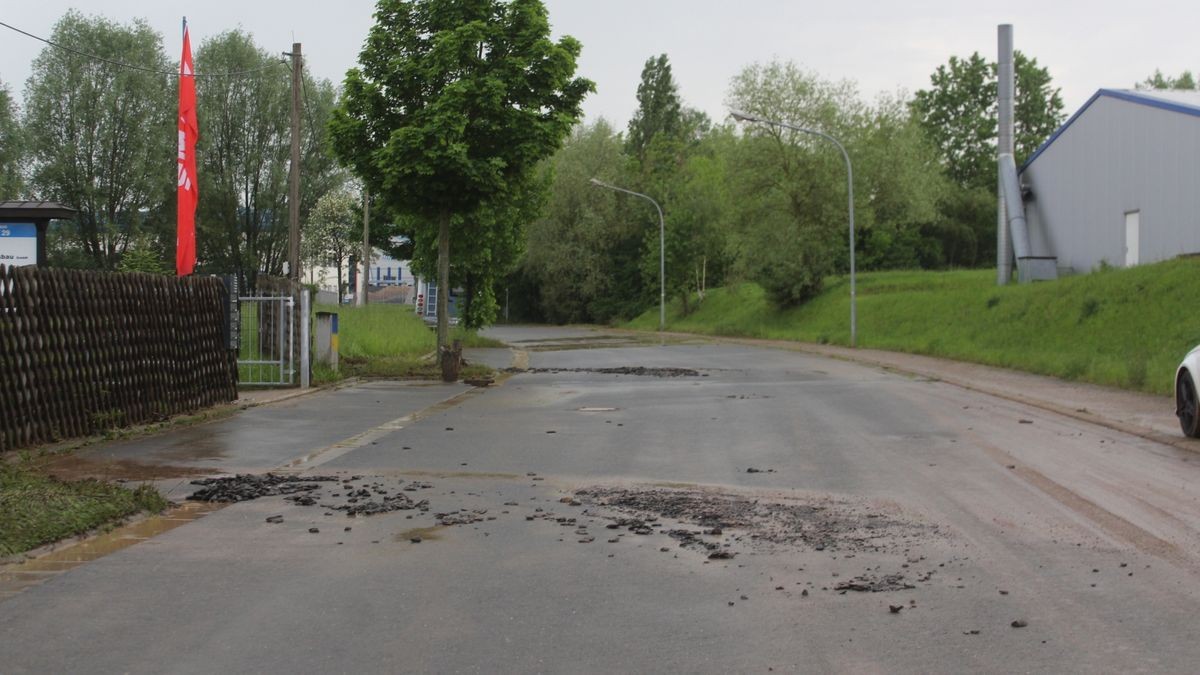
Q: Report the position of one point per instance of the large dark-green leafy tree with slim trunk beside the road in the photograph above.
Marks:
(453, 105)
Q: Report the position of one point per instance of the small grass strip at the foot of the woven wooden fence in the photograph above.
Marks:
(37, 510)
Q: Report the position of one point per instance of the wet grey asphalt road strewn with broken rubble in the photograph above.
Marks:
(945, 516)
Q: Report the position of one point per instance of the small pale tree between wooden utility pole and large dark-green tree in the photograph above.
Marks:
(333, 232)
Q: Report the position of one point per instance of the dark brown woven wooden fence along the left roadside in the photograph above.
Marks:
(83, 351)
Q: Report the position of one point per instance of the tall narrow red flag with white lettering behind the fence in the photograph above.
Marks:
(189, 192)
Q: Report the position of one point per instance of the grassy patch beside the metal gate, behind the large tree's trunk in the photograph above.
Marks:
(392, 342)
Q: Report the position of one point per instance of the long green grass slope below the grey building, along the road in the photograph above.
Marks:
(1125, 328)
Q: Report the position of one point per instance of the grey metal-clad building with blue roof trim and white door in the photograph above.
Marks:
(1119, 183)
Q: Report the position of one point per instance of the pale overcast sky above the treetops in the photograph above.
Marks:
(884, 46)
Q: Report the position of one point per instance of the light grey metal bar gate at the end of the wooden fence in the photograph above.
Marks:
(267, 347)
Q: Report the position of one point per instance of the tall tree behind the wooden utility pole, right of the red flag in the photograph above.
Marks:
(244, 154)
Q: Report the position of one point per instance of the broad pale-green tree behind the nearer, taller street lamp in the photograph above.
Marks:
(791, 213)
